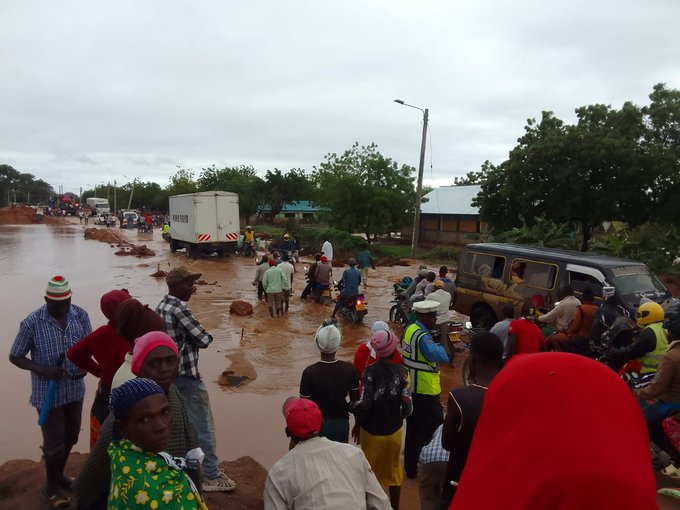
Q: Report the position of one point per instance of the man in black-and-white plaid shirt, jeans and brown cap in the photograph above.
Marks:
(191, 336)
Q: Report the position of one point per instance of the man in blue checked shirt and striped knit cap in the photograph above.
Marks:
(47, 333)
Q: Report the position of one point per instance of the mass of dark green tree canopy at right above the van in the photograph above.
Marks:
(610, 165)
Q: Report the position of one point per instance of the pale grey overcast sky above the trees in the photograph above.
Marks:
(93, 91)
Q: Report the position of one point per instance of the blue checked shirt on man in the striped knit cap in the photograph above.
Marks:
(41, 335)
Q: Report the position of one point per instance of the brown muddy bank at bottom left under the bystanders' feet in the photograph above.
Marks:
(20, 481)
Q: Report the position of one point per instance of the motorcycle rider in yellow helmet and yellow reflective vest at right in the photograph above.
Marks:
(649, 344)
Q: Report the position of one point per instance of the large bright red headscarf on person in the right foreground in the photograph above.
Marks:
(561, 432)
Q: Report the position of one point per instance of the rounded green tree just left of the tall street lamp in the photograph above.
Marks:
(365, 191)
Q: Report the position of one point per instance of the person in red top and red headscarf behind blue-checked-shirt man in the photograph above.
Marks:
(101, 353)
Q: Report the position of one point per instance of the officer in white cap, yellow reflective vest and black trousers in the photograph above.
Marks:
(421, 356)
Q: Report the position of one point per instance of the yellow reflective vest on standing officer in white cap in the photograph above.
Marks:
(424, 374)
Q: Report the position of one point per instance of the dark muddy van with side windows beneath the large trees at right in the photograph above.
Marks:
(492, 274)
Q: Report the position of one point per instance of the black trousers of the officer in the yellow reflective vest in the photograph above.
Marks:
(427, 415)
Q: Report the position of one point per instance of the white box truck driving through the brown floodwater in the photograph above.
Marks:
(204, 223)
